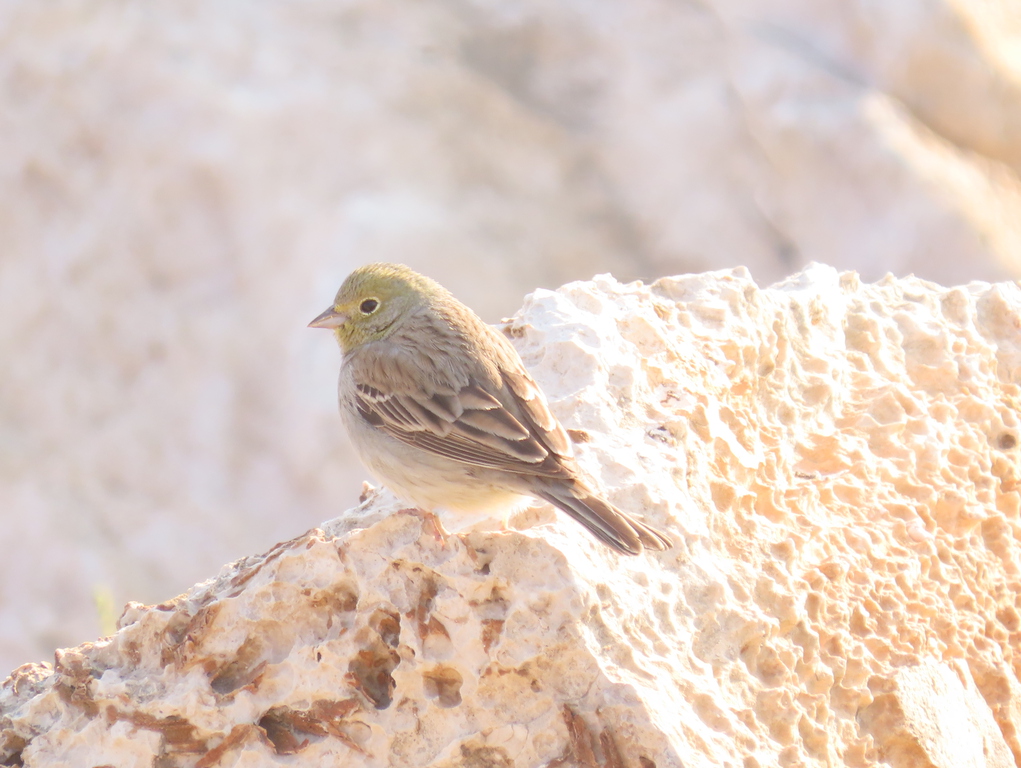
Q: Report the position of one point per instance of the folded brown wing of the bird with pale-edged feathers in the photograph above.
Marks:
(497, 418)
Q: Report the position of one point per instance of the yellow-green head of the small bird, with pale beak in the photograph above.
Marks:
(372, 303)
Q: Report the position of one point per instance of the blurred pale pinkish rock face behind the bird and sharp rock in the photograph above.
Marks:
(184, 185)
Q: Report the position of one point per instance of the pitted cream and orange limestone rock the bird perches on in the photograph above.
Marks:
(838, 464)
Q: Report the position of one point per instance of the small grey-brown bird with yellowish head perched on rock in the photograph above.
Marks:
(443, 412)
